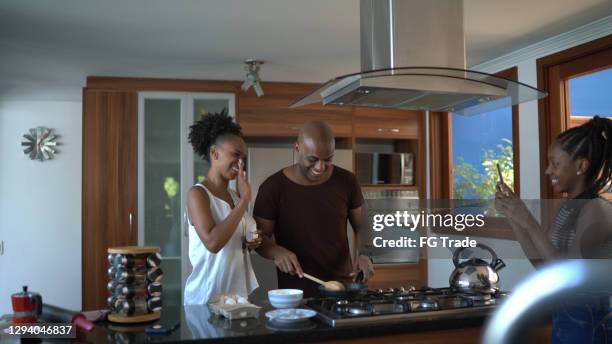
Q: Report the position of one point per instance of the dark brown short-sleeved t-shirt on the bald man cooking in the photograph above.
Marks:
(311, 222)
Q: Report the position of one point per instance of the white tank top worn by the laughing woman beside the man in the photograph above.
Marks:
(228, 271)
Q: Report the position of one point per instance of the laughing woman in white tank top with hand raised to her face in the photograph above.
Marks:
(218, 218)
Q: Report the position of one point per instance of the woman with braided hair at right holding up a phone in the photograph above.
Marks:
(580, 166)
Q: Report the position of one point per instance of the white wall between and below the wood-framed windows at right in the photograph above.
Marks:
(525, 60)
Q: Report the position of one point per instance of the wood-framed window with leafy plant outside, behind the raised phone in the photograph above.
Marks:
(460, 145)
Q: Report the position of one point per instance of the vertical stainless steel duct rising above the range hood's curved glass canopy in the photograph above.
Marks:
(397, 33)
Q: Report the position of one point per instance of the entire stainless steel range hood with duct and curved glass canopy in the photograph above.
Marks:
(396, 34)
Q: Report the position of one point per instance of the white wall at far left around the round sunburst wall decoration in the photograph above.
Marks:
(40, 206)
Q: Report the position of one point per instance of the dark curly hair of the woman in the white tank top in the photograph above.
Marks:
(209, 130)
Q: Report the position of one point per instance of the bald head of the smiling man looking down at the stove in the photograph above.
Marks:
(315, 148)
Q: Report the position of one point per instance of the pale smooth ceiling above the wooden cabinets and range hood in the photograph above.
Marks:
(48, 47)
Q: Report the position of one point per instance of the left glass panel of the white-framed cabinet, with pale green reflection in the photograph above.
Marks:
(159, 192)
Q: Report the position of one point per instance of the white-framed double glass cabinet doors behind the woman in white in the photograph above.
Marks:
(167, 168)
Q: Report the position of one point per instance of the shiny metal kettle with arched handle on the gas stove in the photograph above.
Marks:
(474, 274)
